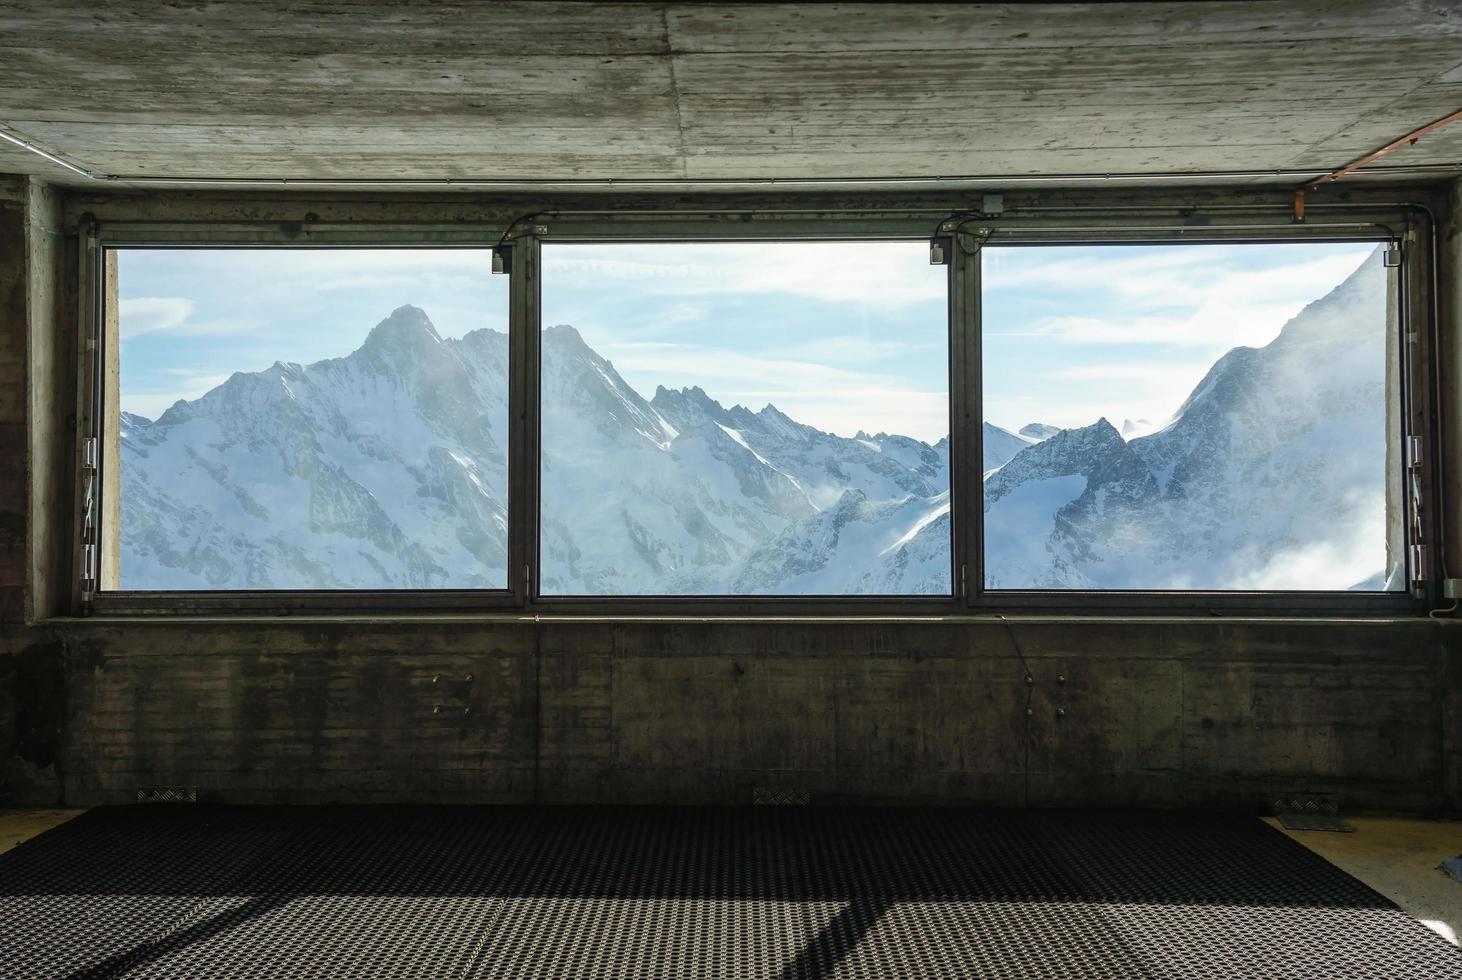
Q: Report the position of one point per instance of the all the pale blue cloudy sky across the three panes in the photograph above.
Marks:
(840, 336)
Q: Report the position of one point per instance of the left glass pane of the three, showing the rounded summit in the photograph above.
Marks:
(309, 419)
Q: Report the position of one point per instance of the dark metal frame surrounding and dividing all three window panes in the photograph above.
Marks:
(1061, 225)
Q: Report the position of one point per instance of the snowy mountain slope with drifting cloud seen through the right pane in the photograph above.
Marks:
(1271, 476)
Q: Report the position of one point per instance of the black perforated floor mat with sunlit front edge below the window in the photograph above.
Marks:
(770, 893)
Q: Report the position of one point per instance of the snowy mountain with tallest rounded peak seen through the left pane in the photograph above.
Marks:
(387, 469)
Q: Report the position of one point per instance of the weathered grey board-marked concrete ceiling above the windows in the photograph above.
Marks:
(363, 90)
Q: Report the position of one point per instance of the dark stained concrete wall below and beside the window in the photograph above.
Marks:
(1173, 712)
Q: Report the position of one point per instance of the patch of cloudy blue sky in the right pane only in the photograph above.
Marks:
(1080, 333)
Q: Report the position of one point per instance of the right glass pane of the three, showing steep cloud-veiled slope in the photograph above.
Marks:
(1191, 418)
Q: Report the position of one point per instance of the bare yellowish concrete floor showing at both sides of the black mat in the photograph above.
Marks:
(1398, 858)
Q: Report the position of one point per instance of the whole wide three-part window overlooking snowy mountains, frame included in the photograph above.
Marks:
(793, 413)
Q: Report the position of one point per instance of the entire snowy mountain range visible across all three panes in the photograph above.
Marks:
(387, 469)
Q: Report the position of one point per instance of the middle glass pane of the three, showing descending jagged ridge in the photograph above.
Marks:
(745, 421)
